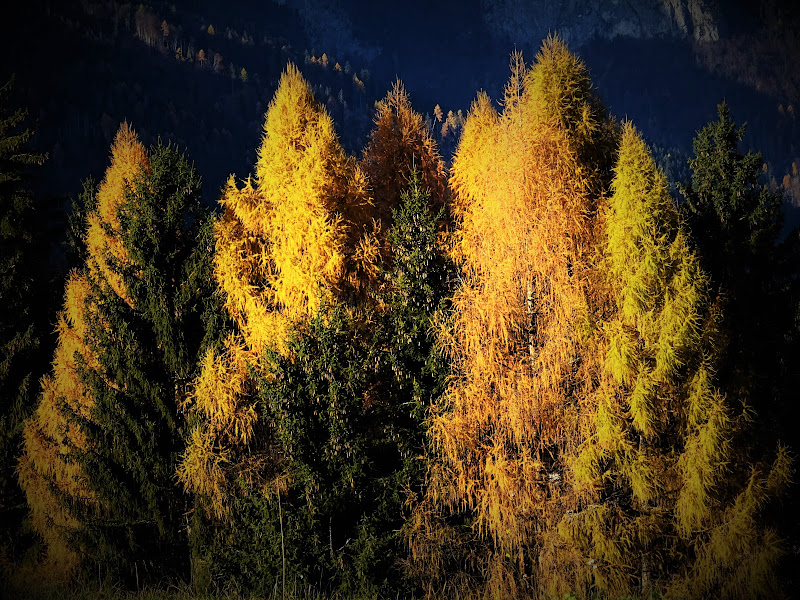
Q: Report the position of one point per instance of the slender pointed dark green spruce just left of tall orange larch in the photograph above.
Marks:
(415, 368)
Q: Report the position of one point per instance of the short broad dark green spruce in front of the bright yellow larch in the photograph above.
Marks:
(326, 410)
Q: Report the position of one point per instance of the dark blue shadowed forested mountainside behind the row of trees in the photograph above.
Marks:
(83, 67)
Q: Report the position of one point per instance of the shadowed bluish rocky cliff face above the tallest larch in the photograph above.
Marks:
(524, 22)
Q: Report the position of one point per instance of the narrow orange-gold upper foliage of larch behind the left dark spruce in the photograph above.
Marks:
(128, 157)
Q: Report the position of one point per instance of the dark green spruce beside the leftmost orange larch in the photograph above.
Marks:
(148, 352)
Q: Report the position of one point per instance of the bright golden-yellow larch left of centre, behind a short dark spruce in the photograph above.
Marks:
(300, 233)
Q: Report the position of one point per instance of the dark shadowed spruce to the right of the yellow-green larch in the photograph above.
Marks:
(737, 221)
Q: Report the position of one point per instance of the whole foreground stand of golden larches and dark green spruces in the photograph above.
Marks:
(538, 377)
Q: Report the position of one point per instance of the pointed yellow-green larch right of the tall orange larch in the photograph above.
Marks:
(657, 435)
